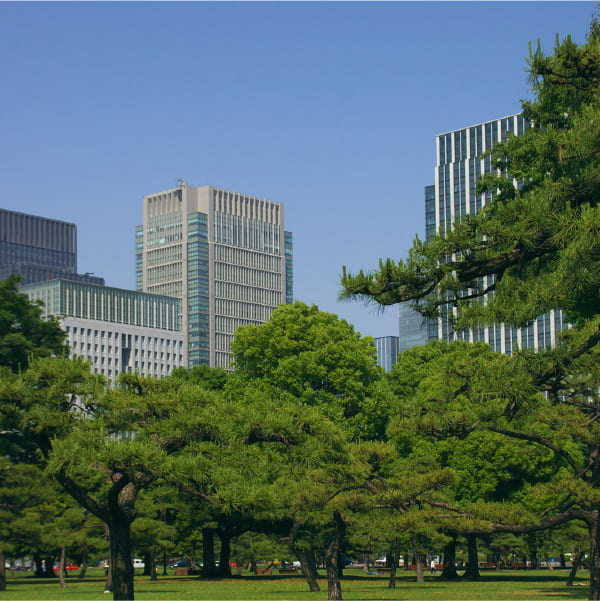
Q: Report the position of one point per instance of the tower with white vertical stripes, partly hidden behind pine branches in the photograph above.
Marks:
(452, 197)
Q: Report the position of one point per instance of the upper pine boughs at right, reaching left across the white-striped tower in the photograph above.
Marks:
(540, 240)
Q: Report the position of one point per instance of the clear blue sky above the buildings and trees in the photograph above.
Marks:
(328, 107)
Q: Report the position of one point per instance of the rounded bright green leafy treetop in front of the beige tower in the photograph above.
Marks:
(316, 358)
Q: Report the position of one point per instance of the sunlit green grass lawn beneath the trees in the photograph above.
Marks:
(511, 585)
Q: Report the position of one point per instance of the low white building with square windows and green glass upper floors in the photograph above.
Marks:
(116, 330)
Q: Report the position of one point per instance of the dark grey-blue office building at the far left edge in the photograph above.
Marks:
(39, 248)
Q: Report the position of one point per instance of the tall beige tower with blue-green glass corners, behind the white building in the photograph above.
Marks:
(227, 257)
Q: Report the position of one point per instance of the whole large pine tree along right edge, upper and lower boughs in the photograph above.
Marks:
(534, 247)
